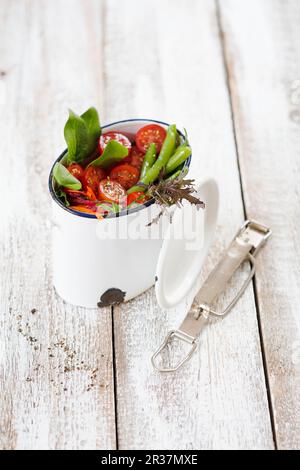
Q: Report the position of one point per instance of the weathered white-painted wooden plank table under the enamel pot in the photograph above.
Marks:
(229, 72)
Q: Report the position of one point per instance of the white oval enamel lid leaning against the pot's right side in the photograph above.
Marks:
(185, 246)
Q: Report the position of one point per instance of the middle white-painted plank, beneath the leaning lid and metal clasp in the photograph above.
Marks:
(164, 61)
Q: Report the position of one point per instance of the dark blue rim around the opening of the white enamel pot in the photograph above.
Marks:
(121, 213)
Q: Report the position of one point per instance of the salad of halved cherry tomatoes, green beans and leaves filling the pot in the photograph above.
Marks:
(105, 173)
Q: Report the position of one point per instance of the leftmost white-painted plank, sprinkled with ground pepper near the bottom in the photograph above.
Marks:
(50, 59)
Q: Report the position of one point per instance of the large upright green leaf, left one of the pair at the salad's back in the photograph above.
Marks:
(76, 136)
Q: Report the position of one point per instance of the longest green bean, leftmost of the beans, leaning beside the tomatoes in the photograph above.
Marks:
(163, 158)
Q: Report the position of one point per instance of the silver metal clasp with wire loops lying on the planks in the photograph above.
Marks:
(247, 242)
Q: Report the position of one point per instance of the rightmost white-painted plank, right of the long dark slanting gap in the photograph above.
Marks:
(264, 81)
